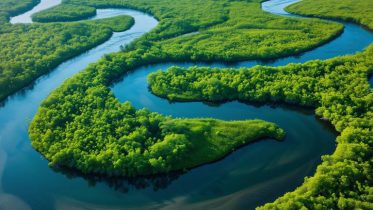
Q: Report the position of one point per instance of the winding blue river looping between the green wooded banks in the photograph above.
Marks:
(251, 176)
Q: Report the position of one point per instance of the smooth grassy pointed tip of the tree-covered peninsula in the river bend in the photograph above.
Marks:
(213, 139)
